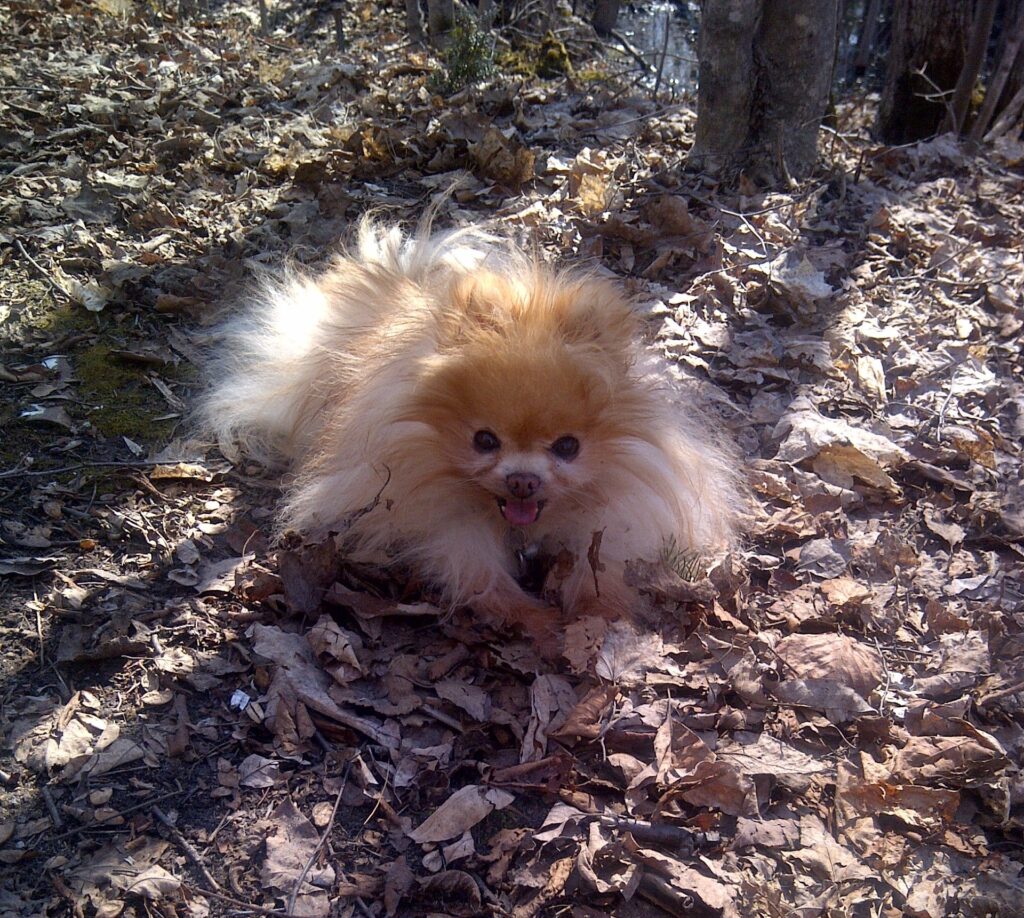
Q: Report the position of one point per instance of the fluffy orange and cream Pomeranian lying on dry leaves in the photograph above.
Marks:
(460, 406)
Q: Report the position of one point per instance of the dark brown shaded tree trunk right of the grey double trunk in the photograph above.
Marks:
(929, 36)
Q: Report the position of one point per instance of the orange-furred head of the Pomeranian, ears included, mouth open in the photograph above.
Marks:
(531, 389)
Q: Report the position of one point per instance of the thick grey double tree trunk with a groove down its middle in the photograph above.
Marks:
(766, 69)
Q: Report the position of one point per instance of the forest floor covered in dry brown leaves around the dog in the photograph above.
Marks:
(196, 721)
